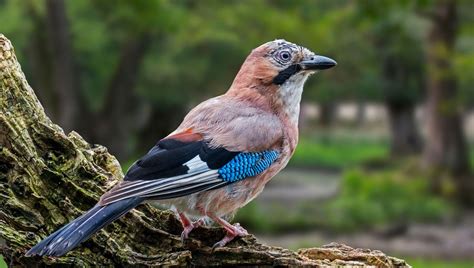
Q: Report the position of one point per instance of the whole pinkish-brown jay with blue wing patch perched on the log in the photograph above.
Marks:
(219, 158)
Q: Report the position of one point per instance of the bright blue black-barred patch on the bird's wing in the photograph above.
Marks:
(247, 165)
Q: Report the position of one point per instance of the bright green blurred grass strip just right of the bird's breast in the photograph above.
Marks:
(335, 150)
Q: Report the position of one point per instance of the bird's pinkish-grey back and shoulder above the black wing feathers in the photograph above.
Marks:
(236, 124)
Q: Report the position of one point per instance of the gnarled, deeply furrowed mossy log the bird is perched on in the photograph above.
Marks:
(48, 178)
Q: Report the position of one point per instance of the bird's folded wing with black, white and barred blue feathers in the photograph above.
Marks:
(185, 163)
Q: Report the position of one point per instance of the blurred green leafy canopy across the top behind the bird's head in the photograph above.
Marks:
(185, 34)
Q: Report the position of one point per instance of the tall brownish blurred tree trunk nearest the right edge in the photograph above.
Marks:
(446, 147)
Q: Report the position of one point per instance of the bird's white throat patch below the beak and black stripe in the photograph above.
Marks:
(290, 95)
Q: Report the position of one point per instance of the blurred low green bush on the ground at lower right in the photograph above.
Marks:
(387, 197)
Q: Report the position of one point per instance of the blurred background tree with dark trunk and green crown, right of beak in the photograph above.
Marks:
(396, 34)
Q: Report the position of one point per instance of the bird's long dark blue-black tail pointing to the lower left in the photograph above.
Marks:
(73, 233)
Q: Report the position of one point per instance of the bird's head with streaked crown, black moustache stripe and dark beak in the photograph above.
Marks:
(277, 70)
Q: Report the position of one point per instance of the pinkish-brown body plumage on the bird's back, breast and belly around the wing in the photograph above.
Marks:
(242, 126)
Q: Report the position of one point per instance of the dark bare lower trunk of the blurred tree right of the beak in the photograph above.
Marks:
(404, 136)
